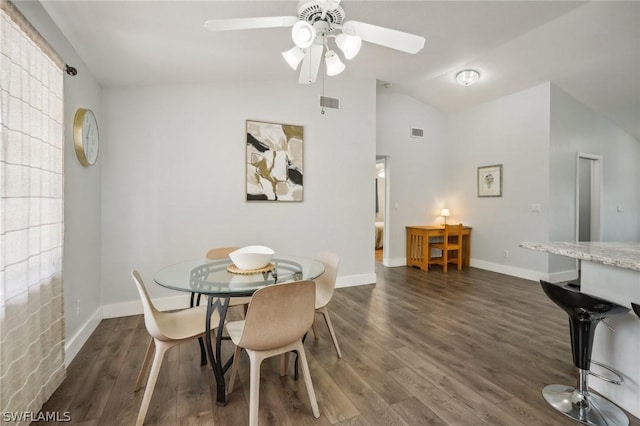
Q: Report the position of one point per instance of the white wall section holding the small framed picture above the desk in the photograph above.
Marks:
(512, 131)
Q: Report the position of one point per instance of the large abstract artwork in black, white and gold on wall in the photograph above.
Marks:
(274, 161)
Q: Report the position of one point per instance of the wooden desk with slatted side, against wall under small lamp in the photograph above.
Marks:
(418, 244)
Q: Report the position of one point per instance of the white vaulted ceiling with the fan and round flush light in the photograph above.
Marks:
(589, 49)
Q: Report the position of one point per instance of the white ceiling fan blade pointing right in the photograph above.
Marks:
(387, 37)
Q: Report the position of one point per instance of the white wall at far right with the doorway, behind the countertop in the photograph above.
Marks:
(575, 128)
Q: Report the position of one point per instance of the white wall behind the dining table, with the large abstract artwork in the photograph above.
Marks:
(174, 175)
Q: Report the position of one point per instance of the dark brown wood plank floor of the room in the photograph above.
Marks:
(467, 347)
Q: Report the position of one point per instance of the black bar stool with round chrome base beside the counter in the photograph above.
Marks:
(585, 312)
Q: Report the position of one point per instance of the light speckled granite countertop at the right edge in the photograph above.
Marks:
(619, 254)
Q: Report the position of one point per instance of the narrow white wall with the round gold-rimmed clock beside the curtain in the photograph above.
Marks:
(82, 187)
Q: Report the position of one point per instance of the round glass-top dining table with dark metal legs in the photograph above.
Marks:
(214, 278)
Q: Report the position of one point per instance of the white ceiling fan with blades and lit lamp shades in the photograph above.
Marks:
(316, 23)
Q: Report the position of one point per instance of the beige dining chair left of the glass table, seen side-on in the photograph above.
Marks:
(167, 330)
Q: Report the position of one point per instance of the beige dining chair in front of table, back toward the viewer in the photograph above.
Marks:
(277, 318)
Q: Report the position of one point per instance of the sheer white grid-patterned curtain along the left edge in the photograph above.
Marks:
(31, 217)
